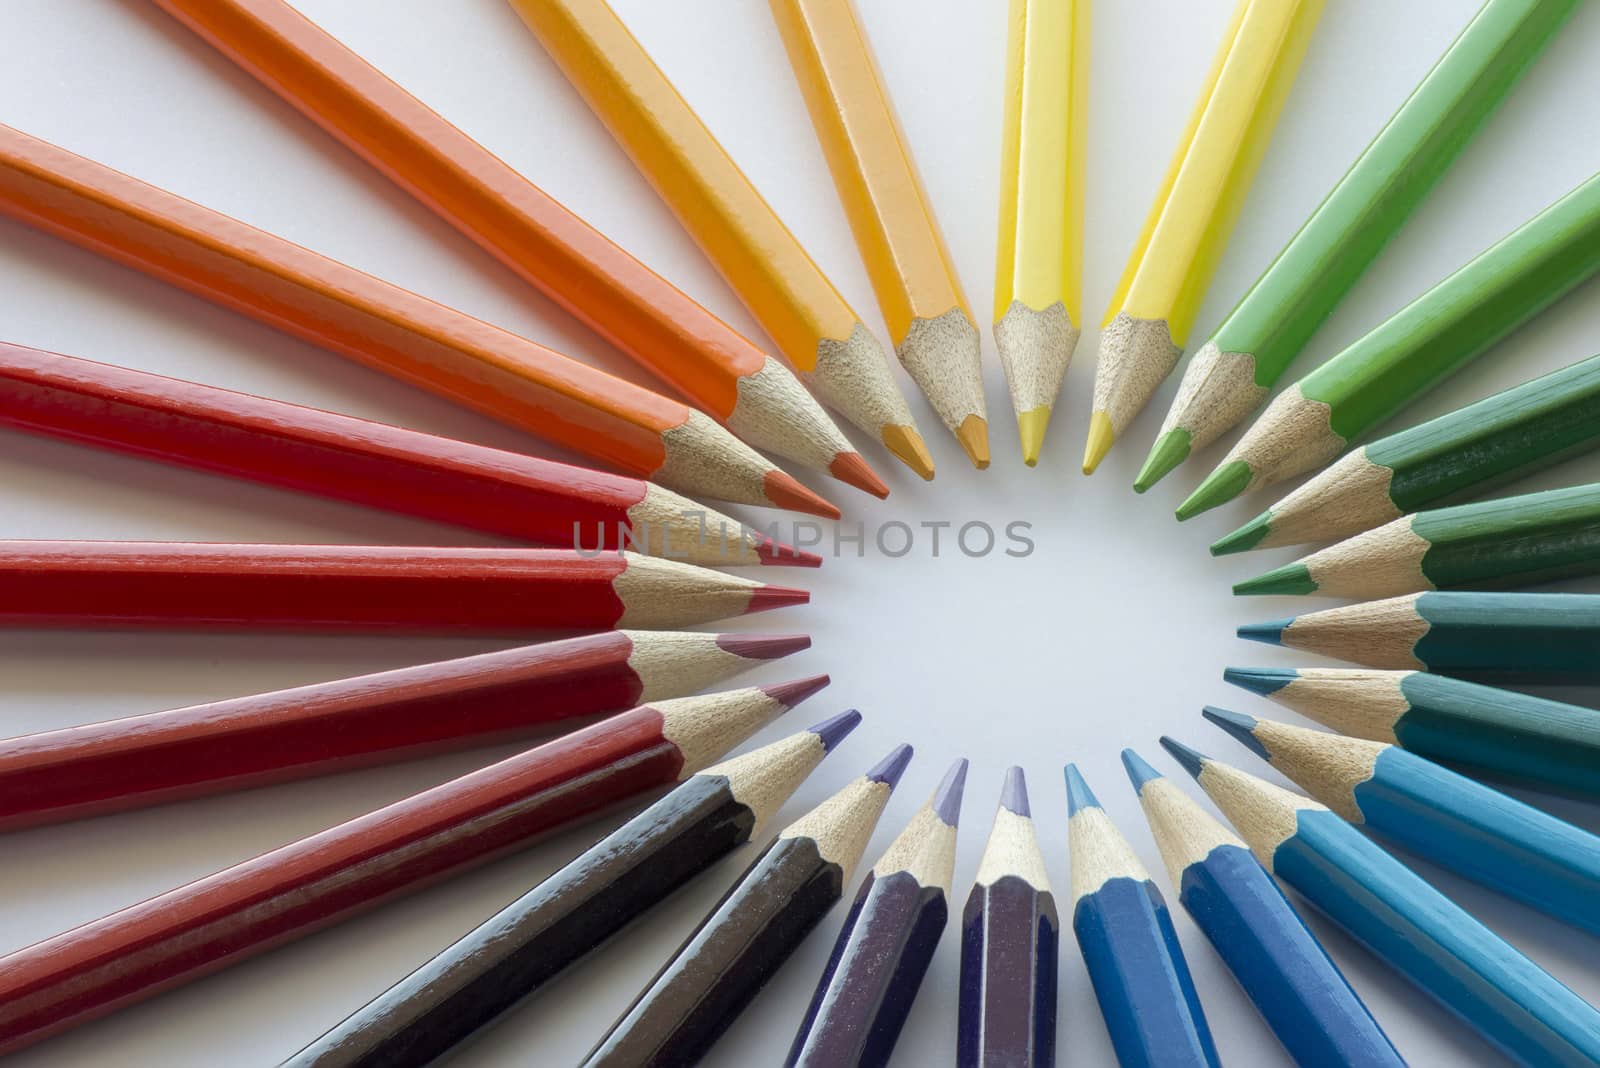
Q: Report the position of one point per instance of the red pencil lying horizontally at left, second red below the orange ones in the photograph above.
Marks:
(364, 589)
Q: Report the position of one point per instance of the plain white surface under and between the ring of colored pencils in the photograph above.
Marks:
(1111, 634)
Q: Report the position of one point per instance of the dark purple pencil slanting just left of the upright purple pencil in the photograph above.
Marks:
(887, 944)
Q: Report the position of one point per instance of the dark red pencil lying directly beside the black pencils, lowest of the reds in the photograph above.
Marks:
(318, 882)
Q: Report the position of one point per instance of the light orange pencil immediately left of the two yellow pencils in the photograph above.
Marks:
(897, 233)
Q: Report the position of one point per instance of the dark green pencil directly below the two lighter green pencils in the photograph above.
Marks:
(1465, 453)
